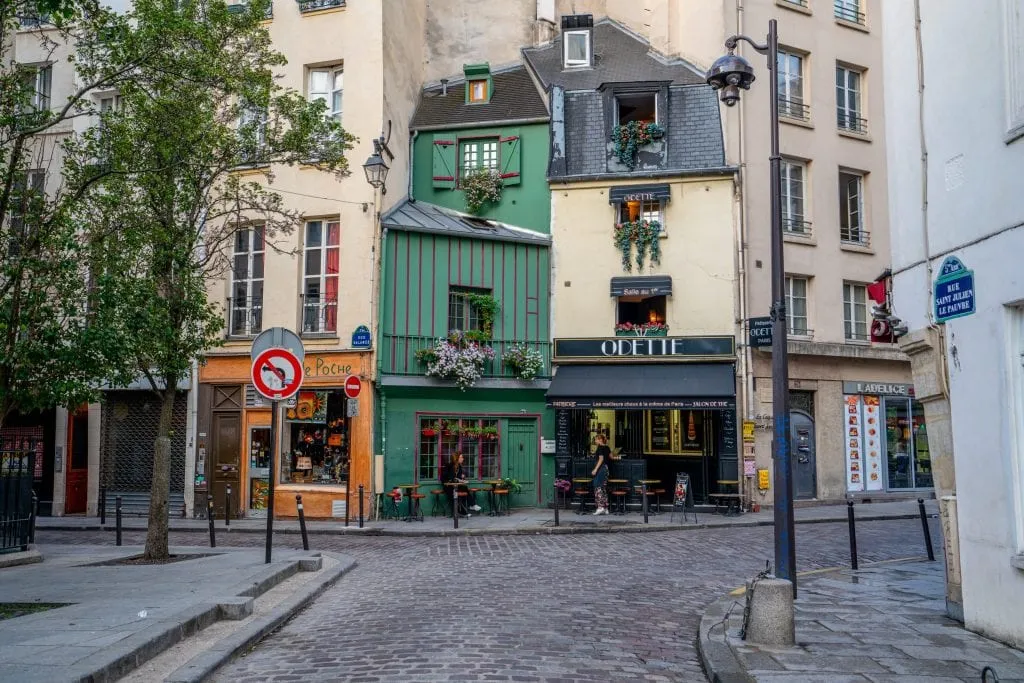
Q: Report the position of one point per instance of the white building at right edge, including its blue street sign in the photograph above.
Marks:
(957, 221)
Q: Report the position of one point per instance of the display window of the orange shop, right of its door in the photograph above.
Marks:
(317, 436)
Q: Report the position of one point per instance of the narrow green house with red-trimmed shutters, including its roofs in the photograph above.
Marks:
(485, 276)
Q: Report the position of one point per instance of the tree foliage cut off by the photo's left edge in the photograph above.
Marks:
(56, 346)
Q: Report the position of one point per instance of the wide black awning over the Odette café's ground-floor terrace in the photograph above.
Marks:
(645, 387)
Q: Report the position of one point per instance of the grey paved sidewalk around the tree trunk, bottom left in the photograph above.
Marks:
(116, 617)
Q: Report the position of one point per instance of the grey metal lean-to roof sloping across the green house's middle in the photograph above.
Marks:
(423, 218)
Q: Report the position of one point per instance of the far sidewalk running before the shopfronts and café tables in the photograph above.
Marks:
(524, 521)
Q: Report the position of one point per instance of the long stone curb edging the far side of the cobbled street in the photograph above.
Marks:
(522, 531)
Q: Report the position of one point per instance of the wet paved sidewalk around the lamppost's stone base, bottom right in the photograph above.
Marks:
(886, 624)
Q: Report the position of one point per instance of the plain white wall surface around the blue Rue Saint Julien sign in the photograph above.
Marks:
(974, 202)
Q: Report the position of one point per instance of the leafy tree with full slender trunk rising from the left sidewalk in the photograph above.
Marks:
(173, 198)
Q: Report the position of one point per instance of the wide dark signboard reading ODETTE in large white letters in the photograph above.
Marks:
(657, 350)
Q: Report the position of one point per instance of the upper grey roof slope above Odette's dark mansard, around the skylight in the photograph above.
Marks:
(620, 57)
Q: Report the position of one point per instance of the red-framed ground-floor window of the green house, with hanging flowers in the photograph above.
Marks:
(478, 439)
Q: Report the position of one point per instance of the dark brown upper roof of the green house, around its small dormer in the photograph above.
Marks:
(515, 99)
